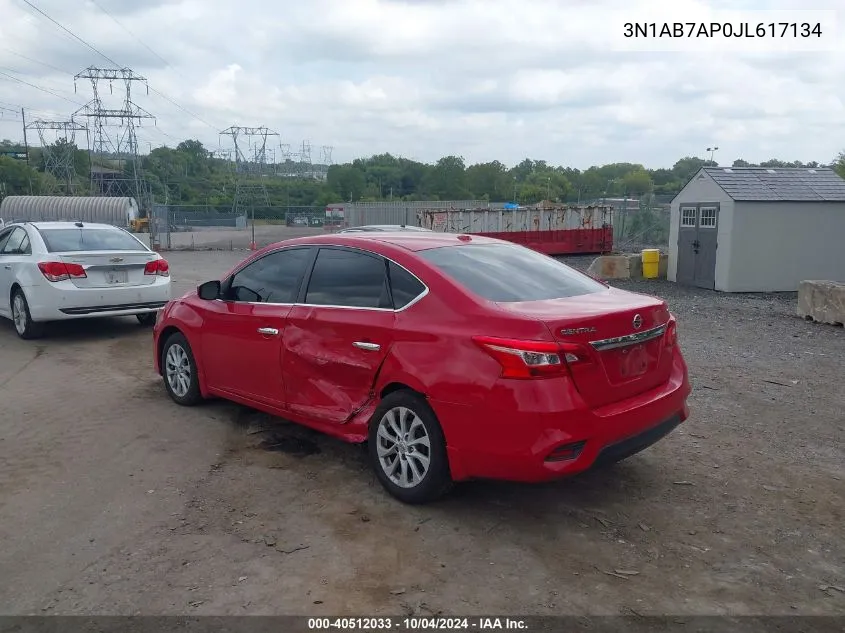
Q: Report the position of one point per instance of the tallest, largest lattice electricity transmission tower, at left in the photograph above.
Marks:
(113, 144)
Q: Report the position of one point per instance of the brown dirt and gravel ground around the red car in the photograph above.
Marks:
(113, 500)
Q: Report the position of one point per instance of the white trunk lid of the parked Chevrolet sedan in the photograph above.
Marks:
(111, 269)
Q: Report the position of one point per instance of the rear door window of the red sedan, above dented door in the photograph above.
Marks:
(348, 279)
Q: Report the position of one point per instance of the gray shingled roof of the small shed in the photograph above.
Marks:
(786, 184)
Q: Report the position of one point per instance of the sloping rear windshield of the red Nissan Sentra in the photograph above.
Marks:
(506, 273)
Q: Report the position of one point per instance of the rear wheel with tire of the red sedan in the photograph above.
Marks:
(408, 412)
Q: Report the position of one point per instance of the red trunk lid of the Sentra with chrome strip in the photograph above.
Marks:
(613, 341)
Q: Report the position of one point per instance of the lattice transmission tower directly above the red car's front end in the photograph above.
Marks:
(251, 166)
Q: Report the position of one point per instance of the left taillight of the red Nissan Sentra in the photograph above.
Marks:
(524, 359)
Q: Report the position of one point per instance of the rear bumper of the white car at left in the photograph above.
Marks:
(61, 301)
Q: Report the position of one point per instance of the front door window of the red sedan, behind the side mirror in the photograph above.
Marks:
(275, 278)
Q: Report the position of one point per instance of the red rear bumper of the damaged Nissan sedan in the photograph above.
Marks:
(536, 447)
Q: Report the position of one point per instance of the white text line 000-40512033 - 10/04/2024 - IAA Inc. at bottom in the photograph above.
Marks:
(417, 624)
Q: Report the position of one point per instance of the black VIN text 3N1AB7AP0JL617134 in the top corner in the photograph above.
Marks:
(777, 30)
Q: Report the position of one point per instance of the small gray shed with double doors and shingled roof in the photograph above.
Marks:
(753, 229)
